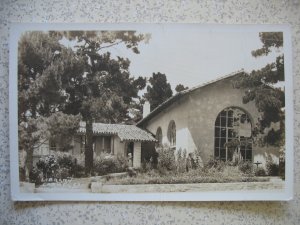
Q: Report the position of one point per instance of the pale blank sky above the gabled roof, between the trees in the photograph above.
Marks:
(191, 55)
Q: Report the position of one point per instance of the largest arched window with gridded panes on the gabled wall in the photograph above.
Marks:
(233, 135)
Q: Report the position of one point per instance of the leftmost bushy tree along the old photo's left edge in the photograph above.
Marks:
(40, 89)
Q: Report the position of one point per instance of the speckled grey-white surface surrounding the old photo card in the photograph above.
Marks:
(149, 11)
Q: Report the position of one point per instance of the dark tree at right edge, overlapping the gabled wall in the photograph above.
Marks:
(261, 88)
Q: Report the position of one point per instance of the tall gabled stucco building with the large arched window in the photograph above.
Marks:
(206, 119)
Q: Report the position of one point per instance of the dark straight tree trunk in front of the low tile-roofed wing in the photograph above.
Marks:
(89, 148)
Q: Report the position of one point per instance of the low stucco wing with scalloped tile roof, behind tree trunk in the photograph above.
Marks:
(112, 139)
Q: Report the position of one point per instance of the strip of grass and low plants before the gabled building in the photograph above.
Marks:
(228, 175)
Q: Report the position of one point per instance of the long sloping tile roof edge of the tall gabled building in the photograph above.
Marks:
(174, 98)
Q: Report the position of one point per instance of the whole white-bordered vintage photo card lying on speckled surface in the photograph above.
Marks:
(151, 112)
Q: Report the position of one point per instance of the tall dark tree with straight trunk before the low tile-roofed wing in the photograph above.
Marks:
(104, 91)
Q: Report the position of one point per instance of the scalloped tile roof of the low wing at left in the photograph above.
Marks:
(124, 132)
